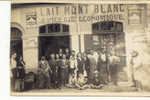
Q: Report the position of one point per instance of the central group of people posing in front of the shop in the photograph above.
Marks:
(92, 69)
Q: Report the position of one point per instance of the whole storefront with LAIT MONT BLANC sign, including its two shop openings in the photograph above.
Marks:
(81, 27)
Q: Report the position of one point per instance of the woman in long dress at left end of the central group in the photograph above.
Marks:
(44, 71)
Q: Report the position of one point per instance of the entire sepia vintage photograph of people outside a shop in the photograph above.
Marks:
(80, 49)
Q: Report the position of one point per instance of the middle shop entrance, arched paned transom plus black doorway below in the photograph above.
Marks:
(52, 38)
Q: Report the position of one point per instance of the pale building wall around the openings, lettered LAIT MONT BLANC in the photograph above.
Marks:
(134, 19)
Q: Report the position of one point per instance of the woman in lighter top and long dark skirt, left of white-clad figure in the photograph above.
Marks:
(64, 70)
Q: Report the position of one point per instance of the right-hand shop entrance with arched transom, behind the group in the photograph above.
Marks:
(109, 36)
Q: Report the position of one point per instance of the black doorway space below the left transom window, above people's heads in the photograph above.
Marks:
(51, 44)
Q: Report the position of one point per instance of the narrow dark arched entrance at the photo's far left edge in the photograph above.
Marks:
(16, 42)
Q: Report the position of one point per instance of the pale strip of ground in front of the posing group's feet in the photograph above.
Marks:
(106, 90)
